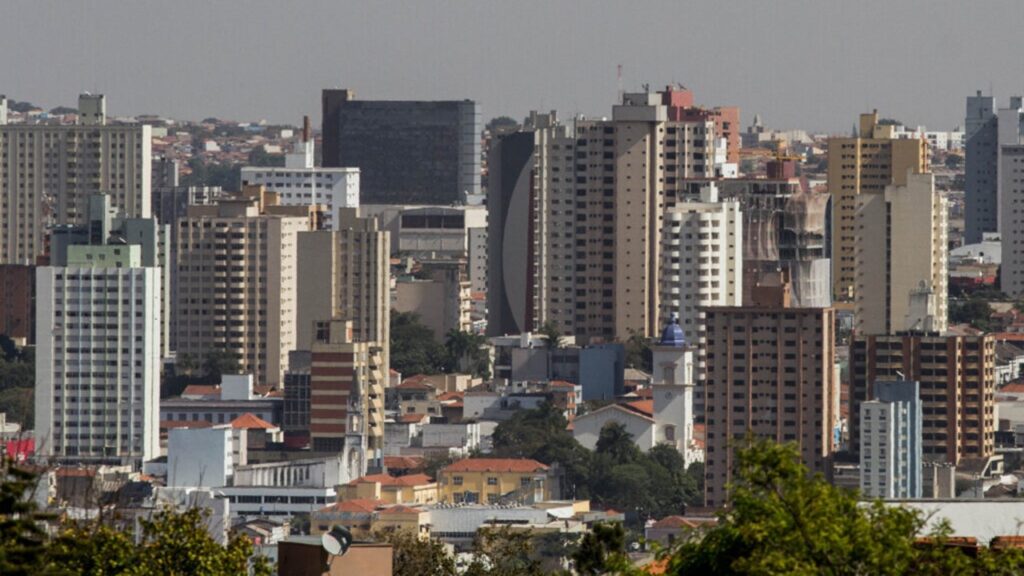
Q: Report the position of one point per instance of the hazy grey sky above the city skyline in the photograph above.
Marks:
(814, 65)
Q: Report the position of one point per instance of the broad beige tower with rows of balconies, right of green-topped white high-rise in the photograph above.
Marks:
(238, 281)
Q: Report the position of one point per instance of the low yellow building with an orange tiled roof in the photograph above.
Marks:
(494, 480)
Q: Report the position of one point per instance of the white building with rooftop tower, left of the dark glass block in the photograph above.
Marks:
(302, 183)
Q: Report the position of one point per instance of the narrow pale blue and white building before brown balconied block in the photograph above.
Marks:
(891, 442)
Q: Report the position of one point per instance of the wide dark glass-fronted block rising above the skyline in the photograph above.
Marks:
(408, 152)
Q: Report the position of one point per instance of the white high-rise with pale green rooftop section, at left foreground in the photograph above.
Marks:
(99, 357)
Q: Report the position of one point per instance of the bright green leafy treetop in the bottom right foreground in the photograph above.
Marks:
(784, 521)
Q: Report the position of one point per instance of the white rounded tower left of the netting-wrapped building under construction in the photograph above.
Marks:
(702, 260)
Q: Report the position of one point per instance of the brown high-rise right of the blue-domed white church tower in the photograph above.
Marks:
(771, 375)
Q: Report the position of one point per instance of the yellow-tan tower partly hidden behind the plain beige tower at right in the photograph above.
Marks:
(866, 164)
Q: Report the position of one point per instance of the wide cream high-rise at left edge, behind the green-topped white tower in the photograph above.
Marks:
(50, 172)
